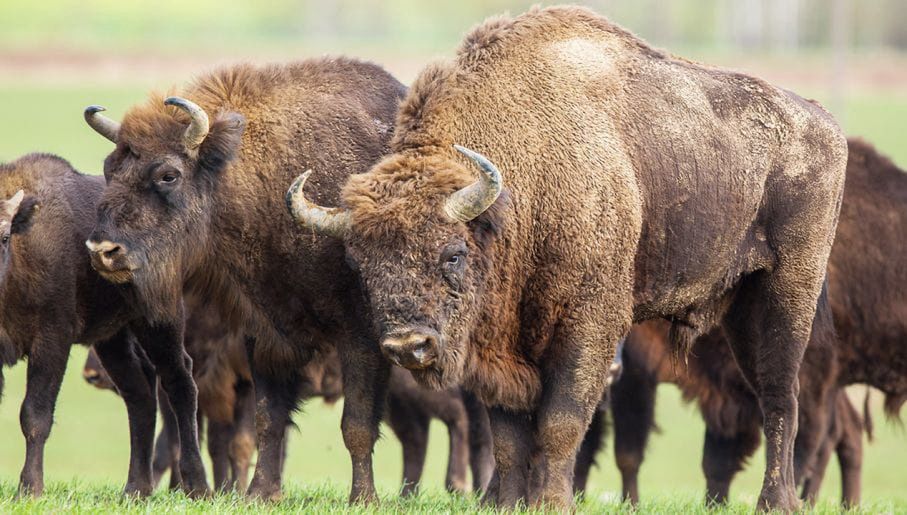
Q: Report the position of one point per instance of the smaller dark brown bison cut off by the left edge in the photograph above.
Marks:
(51, 298)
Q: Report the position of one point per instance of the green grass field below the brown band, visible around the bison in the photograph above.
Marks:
(86, 456)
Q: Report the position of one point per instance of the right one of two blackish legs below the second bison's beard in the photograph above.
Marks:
(163, 343)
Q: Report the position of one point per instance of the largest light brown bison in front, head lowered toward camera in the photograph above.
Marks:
(638, 186)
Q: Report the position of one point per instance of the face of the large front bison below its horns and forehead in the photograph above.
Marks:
(424, 290)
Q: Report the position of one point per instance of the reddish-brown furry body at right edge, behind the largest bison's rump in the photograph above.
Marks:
(865, 278)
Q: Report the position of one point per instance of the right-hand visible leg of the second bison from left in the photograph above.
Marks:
(365, 379)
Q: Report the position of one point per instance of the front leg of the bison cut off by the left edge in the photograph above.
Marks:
(46, 364)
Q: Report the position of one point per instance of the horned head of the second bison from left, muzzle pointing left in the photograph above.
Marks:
(153, 217)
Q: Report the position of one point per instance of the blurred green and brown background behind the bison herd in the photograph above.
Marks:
(56, 57)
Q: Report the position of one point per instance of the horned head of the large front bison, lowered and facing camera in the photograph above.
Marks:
(421, 237)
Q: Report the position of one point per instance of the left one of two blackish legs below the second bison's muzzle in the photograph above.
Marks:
(134, 379)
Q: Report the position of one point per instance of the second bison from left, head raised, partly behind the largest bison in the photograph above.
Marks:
(195, 201)
